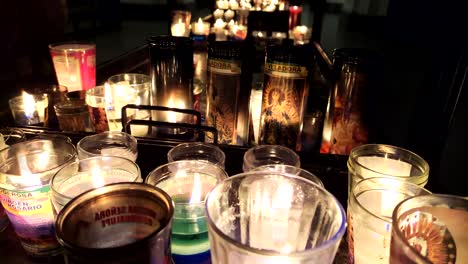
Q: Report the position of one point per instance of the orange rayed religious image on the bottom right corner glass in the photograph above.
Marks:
(430, 237)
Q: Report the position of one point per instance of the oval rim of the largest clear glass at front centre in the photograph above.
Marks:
(266, 252)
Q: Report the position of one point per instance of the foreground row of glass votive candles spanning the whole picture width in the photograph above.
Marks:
(269, 214)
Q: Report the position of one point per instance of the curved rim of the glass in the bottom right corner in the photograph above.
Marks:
(399, 234)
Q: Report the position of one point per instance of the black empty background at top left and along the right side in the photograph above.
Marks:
(421, 104)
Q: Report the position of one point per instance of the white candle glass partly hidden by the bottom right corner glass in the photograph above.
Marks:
(370, 207)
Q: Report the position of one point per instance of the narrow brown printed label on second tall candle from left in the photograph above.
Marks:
(223, 91)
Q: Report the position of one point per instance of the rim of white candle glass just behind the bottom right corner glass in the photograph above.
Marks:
(353, 196)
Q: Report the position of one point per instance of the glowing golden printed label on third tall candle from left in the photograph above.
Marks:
(282, 105)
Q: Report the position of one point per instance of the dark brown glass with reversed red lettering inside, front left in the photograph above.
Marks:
(123, 223)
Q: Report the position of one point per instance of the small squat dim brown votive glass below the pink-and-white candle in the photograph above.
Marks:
(74, 116)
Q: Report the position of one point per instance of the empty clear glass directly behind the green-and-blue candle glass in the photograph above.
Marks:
(197, 151)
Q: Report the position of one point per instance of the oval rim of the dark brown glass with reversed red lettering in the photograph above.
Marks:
(113, 188)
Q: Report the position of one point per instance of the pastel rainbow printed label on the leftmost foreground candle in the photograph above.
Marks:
(30, 213)
